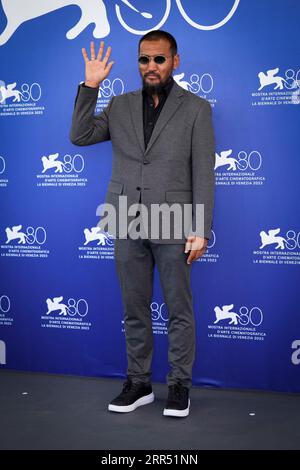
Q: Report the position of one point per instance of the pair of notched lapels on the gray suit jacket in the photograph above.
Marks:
(136, 105)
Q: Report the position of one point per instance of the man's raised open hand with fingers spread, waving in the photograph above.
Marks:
(96, 68)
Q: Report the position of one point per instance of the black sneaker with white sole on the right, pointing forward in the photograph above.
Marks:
(178, 403)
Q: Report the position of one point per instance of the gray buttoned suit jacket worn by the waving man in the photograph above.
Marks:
(176, 167)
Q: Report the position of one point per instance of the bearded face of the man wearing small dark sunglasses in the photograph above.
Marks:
(155, 75)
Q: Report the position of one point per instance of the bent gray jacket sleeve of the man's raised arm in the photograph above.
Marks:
(87, 128)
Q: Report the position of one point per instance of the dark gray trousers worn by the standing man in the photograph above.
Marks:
(135, 261)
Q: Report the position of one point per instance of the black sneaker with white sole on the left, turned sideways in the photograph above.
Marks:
(132, 396)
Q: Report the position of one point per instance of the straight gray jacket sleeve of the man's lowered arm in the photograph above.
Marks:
(203, 163)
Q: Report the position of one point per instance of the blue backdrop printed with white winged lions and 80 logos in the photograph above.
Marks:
(60, 302)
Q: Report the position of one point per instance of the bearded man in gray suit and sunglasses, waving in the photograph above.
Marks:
(163, 145)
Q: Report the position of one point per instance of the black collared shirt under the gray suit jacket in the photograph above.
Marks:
(150, 113)
